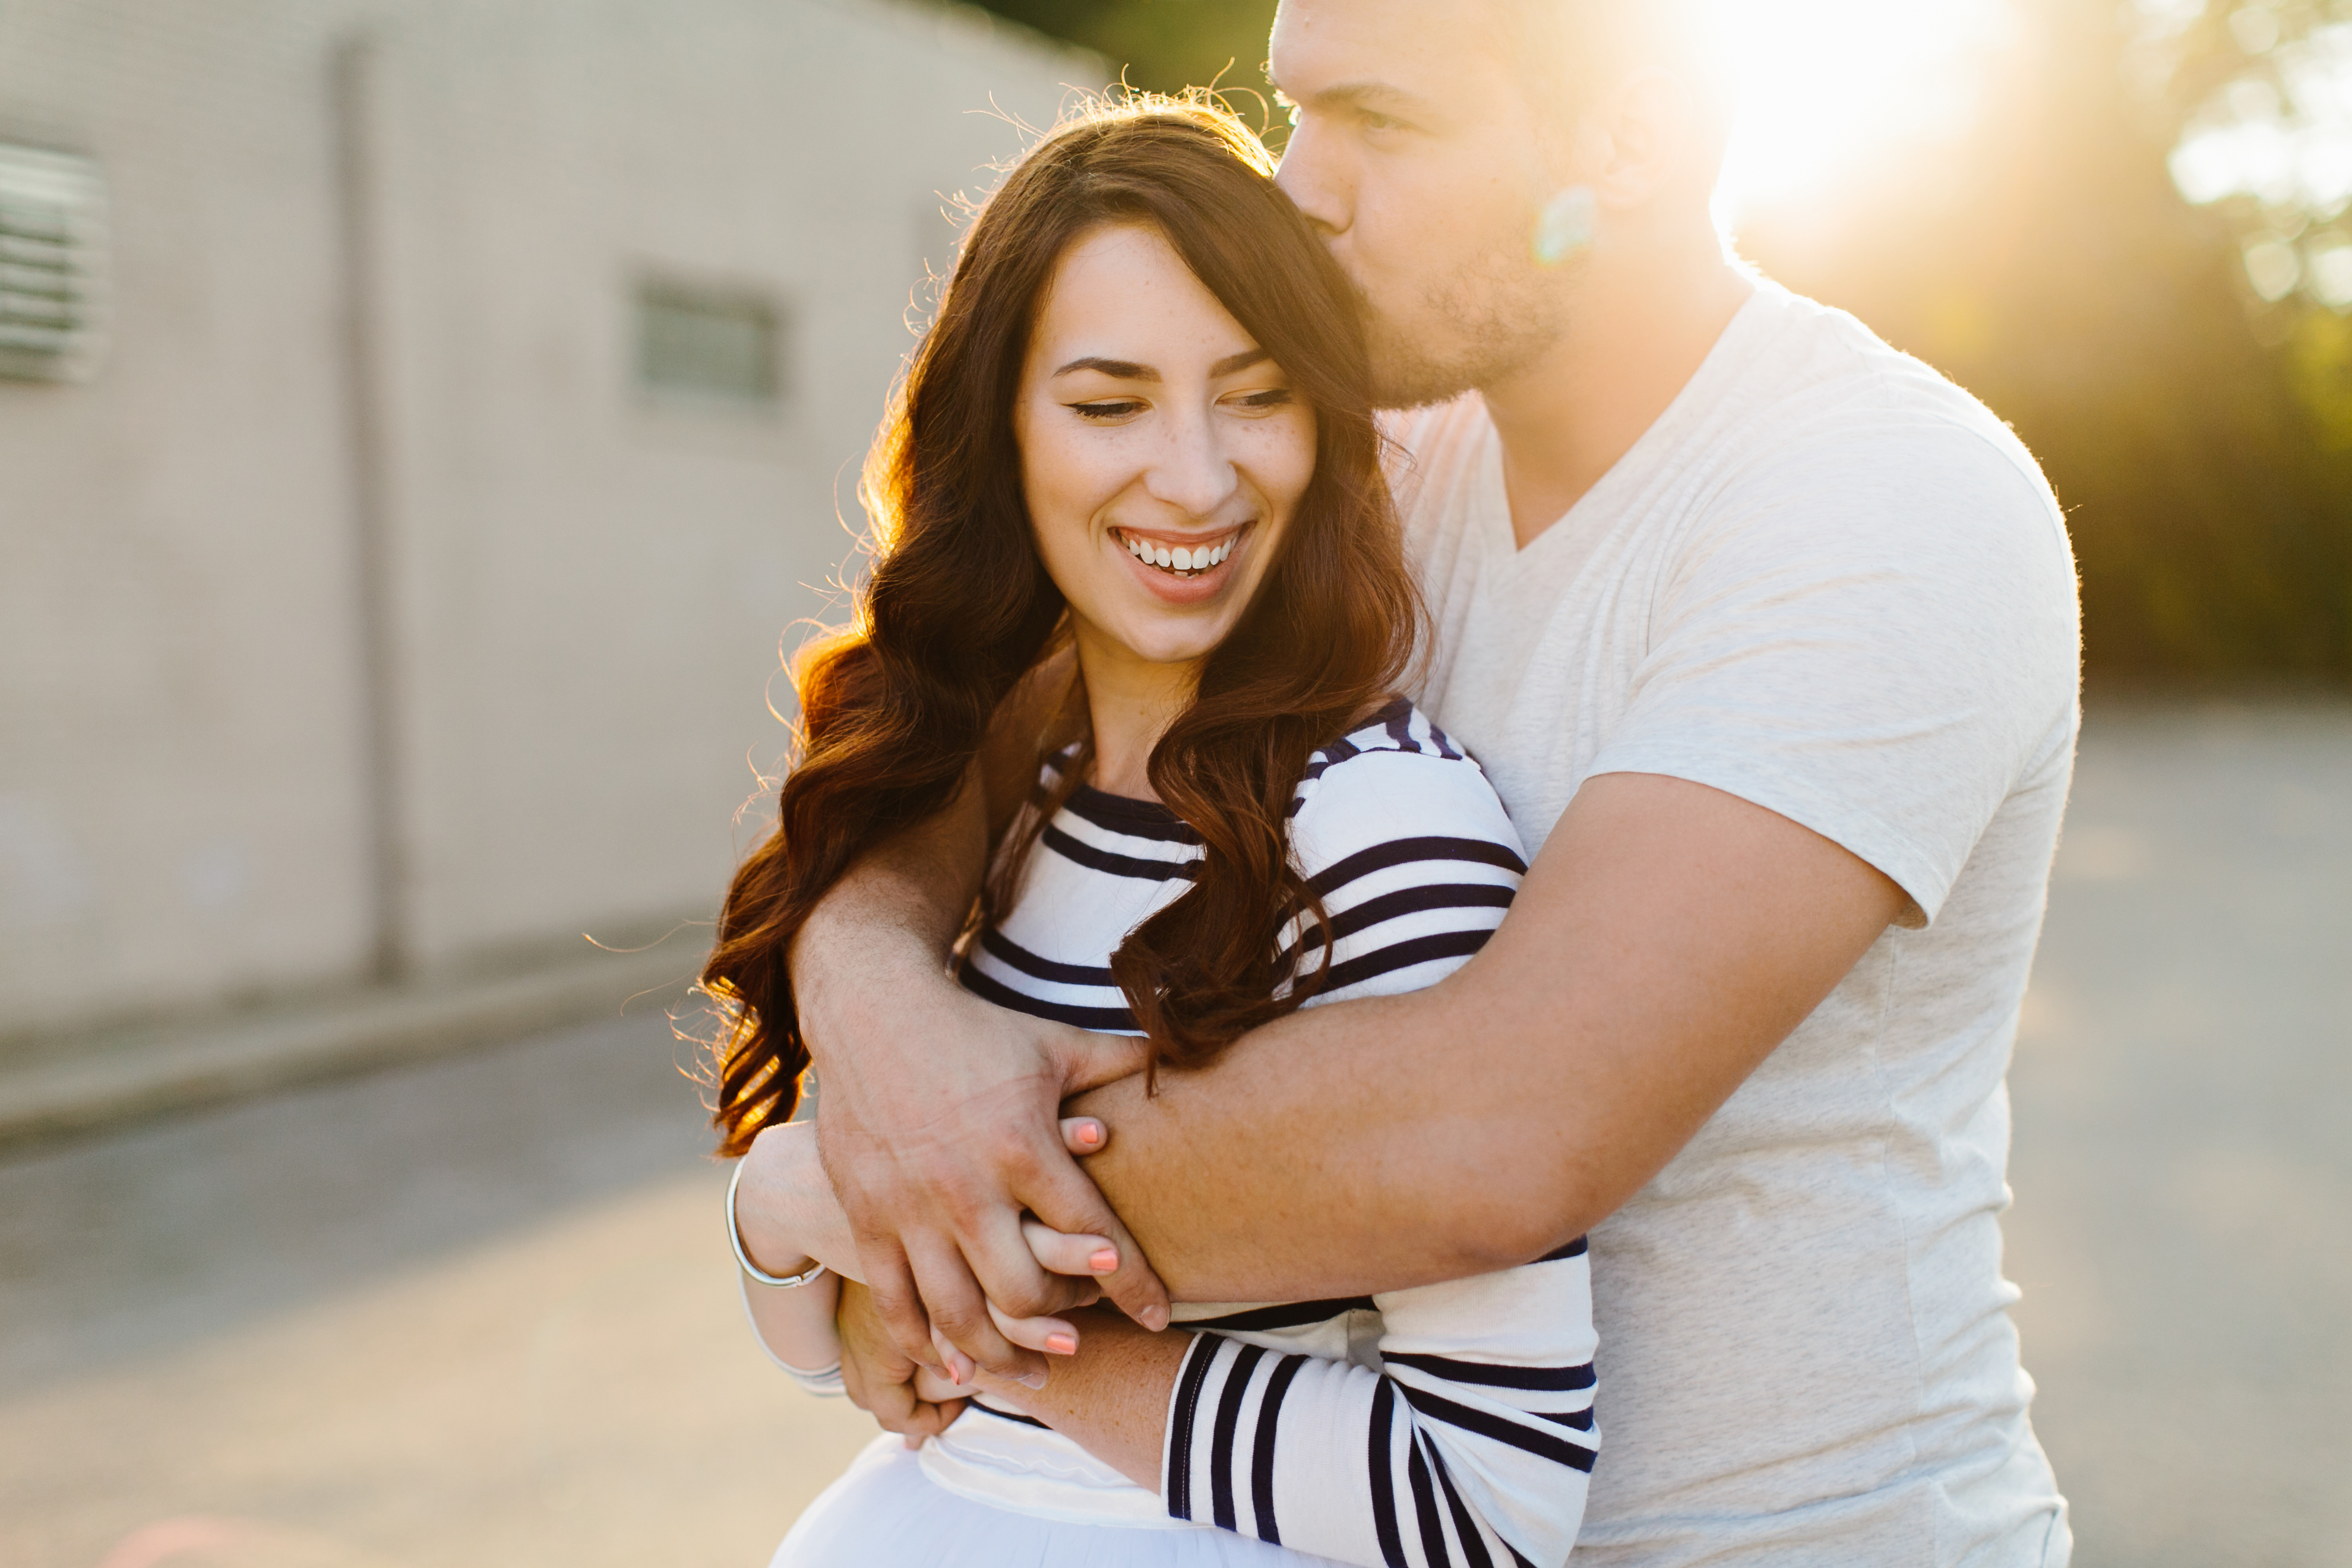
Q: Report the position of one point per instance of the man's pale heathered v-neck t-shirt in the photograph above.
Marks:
(1826, 582)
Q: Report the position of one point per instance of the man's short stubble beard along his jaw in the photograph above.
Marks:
(1471, 328)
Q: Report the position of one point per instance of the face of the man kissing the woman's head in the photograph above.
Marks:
(1419, 159)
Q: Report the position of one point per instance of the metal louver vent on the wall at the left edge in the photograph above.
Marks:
(53, 264)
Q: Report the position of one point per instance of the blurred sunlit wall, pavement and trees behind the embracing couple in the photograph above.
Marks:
(422, 424)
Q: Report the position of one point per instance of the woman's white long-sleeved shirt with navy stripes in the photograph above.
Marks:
(1412, 1428)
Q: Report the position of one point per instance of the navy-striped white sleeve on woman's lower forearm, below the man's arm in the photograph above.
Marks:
(1474, 1442)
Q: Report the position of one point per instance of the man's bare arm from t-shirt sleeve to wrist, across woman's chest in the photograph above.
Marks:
(1666, 939)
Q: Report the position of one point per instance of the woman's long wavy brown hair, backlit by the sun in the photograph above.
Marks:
(958, 605)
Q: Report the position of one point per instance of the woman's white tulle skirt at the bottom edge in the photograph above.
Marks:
(886, 1513)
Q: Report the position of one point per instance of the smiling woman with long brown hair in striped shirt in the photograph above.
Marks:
(1140, 431)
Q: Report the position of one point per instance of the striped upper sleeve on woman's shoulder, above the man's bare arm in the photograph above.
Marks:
(1415, 864)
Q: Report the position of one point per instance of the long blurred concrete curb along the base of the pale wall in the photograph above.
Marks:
(156, 1071)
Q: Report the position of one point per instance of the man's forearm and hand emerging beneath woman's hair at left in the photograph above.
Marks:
(940, 1113)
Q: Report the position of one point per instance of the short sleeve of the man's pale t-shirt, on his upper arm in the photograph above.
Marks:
(1873, 636)
